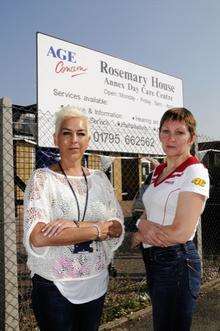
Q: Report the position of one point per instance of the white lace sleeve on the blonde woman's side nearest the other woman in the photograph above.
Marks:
(115, 212)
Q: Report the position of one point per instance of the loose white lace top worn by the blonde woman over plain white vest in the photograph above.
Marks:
(47, 198)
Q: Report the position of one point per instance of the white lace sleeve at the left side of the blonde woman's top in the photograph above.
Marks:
(36, 208)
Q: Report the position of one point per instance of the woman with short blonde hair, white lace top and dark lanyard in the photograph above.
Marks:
(72, 225)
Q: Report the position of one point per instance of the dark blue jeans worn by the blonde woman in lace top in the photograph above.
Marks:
(54, 312)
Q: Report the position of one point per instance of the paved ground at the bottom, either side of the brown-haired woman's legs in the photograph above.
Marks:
(207, 316)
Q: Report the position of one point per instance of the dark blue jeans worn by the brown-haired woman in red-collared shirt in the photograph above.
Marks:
(173, 277)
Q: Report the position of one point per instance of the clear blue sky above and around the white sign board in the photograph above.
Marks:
(179, 38)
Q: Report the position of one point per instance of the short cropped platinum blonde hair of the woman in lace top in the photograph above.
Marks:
(69, 112)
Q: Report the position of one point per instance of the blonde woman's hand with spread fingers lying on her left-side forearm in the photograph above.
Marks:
(56, 227)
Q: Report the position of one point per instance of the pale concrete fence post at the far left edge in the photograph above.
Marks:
(9, 284)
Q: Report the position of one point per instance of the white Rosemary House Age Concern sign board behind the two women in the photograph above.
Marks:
(124, 101)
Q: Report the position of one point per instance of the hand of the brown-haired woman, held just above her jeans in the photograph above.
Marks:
(152, 233)
